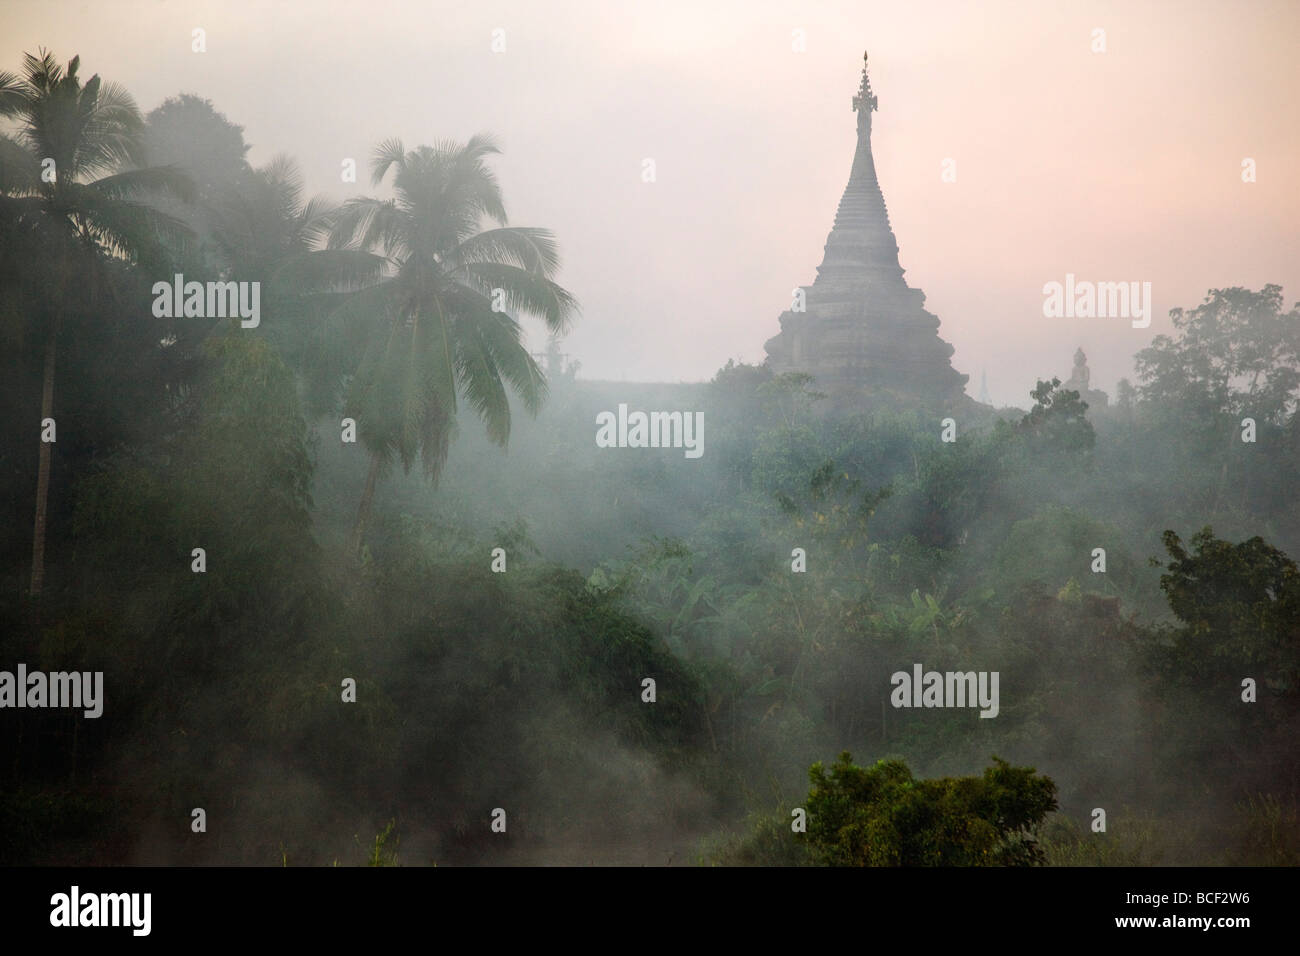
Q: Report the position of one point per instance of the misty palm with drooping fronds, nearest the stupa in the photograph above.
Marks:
(434, 322)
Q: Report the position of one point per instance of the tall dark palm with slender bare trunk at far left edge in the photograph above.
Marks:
(71, 183)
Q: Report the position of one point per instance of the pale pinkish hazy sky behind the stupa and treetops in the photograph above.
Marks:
(1116, 166)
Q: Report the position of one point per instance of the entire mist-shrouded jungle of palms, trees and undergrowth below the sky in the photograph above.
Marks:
(769, 590)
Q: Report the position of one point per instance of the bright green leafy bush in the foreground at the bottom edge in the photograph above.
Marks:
(886, 817)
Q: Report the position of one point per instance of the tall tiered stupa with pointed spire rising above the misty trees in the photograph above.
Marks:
(865, 331)
